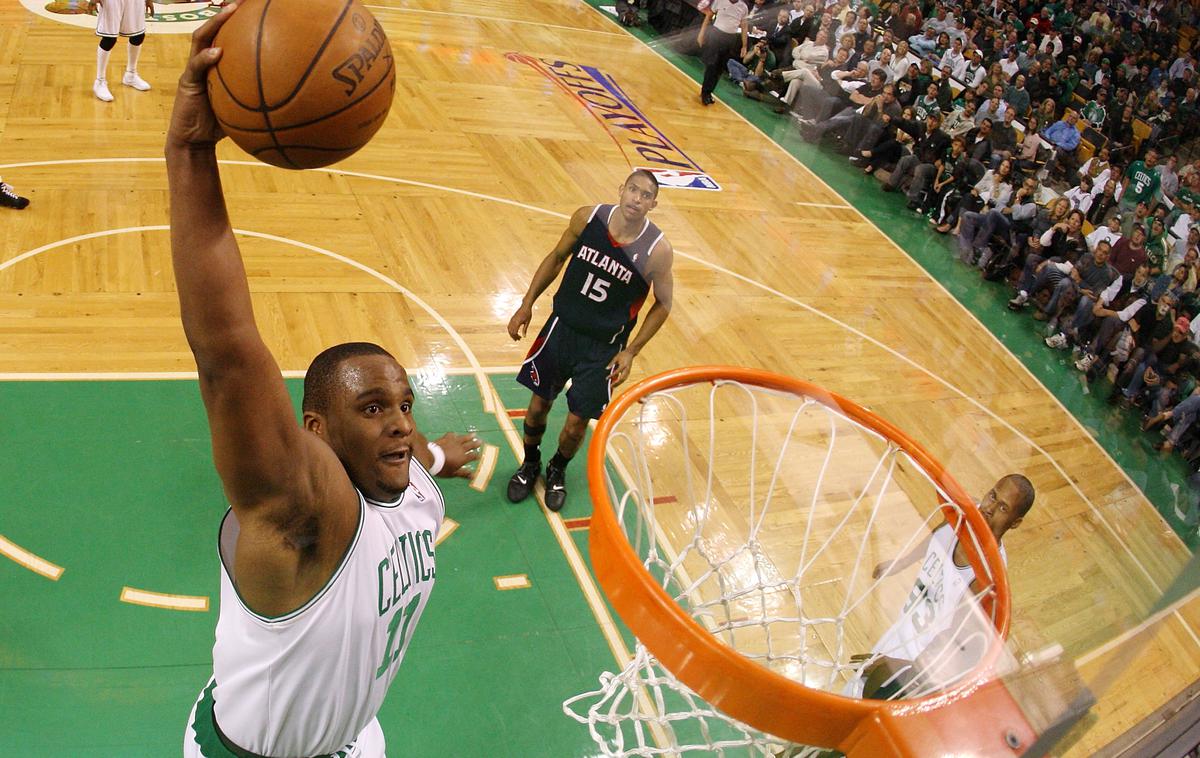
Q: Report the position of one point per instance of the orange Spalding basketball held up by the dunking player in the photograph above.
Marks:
(302, 83)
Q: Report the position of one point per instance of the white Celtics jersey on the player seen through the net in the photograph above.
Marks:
(934, 604)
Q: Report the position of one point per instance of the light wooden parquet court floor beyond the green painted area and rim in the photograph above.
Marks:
(427, 240)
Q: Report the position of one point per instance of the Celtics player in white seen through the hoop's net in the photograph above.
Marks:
(929, 646)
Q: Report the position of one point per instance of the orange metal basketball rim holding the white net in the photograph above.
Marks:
(977, 718)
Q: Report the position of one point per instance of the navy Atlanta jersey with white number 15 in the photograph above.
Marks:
(607, 284)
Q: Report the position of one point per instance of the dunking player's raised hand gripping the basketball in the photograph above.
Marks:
(193, 124)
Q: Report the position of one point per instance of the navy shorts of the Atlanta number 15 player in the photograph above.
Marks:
(561, 353)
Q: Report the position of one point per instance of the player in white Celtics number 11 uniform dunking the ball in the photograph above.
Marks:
(327, 552)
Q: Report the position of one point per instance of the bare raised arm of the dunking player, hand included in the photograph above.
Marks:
(257, 446)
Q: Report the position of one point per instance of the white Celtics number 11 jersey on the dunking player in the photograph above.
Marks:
(309, 683)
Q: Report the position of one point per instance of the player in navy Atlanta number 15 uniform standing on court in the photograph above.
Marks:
(614, 257)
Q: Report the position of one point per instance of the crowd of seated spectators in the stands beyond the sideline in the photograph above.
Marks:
(1043, 135)
